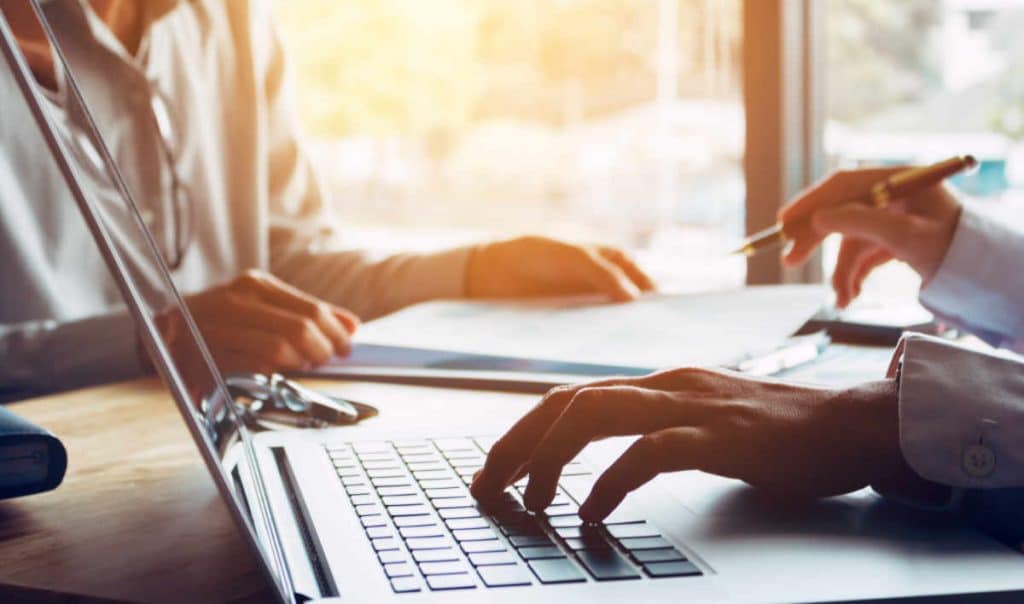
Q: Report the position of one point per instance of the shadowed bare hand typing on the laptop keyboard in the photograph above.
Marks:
(797, 441)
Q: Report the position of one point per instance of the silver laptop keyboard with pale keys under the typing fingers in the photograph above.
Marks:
(430, 534)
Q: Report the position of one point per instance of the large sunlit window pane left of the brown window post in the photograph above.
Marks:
(620, 121)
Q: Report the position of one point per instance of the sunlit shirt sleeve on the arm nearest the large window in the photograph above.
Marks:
(305, 249)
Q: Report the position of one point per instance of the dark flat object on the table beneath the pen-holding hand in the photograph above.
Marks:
(870, 328)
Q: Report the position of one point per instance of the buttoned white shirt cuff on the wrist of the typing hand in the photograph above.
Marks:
(961, 413)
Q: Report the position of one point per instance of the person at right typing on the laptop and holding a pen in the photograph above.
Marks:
(944, 421)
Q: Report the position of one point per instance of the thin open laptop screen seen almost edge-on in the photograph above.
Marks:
(77, 167)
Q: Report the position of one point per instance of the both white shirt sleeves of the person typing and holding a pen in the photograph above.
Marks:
(962, 411)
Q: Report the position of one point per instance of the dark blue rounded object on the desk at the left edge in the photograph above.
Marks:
(32, 460)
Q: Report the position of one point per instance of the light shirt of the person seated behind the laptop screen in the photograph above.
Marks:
(258, 202)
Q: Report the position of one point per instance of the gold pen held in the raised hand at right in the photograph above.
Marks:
(897, 187)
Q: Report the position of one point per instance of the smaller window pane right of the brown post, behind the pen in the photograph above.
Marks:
(919, 80)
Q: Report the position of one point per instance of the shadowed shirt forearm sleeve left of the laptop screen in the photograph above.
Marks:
(45, 356)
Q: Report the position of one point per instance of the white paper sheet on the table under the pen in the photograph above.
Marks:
(658, 331)
